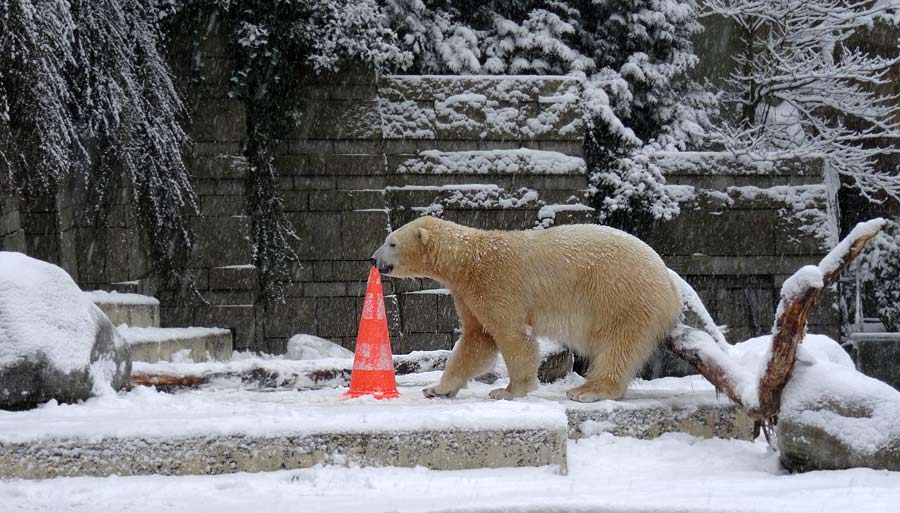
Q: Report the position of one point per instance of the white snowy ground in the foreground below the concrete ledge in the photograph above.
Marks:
(674, 473)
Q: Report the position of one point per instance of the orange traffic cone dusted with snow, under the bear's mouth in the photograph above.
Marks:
(373, 367)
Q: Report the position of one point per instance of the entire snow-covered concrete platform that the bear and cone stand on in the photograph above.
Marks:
(221, 428)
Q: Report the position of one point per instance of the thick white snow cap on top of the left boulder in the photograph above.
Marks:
(43, 312)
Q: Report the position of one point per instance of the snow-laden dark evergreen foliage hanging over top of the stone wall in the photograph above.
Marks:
(634, 56)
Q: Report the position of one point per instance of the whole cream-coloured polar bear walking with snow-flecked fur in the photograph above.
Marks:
(600, 291)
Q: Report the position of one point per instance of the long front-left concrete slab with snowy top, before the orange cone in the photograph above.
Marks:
(225, 431)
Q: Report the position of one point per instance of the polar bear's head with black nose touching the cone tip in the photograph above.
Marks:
(405, 252)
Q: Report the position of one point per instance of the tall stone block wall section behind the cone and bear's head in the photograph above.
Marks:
(368, 155)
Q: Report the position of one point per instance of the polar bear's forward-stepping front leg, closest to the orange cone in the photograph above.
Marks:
(474, 354)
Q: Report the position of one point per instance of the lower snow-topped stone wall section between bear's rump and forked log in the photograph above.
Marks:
(743, 229)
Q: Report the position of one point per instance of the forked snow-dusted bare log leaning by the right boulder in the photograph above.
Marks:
(761, 397)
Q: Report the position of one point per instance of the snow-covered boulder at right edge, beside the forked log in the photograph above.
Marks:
(834, 417)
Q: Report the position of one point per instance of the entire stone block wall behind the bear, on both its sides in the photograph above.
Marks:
(369, 154)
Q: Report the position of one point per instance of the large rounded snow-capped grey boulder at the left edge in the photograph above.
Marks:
(54, 342)
